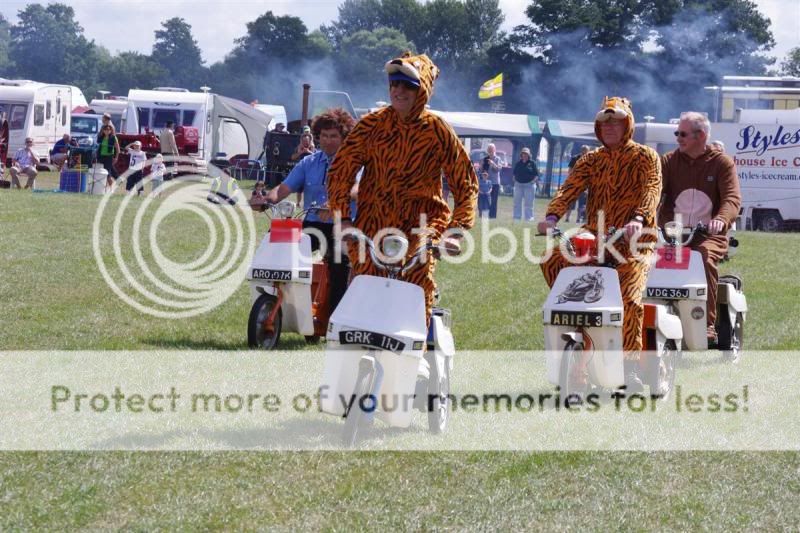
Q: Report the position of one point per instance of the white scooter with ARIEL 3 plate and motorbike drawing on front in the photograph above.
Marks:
(583, 318)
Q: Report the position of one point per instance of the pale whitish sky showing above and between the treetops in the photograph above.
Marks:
(130, 25)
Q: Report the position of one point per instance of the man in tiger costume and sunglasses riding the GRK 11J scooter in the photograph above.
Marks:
(404, 150)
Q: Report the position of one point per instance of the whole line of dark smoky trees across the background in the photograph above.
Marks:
(568, 55)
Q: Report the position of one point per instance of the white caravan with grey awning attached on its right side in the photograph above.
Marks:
(224, 125)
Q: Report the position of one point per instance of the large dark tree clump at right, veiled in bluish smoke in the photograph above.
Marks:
(660, 53)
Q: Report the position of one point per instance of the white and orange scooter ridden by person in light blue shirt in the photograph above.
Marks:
(288, 289)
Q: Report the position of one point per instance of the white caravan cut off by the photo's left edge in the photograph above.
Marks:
(41, 111)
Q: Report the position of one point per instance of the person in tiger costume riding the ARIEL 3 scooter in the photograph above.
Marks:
(624, 183)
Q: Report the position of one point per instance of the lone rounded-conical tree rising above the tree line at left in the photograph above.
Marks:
(176, 51)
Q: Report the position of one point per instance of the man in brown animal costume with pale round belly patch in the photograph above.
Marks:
(701, 185)
